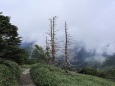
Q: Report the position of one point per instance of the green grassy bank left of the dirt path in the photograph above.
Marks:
(9, 73)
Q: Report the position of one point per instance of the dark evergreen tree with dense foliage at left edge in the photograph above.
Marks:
(10, 41)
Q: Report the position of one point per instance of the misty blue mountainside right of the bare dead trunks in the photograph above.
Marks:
(90, 58)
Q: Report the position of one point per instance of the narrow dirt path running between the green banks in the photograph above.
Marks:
(25, 79)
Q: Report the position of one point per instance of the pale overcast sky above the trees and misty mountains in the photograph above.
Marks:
(89, 21)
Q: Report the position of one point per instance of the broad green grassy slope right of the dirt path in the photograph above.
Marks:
(48, 75)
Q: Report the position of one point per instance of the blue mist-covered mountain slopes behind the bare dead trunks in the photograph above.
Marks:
(82, 57)
